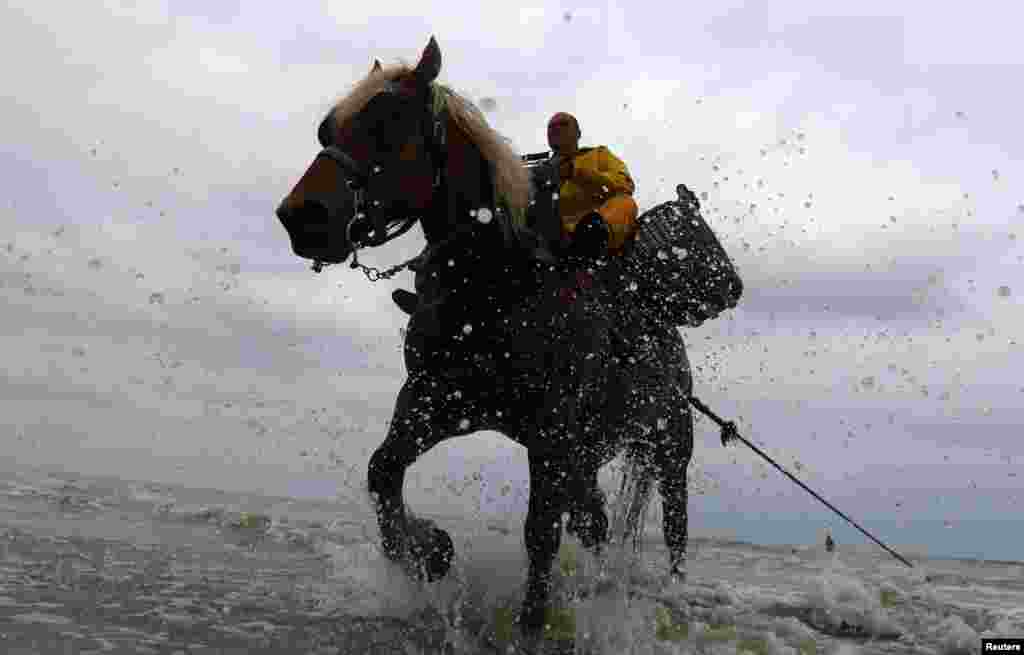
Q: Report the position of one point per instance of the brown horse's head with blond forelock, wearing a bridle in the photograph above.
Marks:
(378, 169)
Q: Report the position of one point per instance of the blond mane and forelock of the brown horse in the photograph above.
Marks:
(511, 178)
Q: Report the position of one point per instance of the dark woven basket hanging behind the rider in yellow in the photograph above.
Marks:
(682, 275)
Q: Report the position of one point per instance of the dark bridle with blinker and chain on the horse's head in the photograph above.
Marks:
(359, 178)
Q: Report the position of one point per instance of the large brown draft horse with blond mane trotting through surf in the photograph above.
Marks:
(504, 338)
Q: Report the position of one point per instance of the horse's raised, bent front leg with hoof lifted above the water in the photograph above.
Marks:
(420, 422)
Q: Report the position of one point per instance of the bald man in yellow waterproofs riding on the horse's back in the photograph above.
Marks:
(595, 193)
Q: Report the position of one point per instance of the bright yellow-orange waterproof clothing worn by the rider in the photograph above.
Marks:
(601, 183)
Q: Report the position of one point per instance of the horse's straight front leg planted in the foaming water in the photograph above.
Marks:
(549, 499)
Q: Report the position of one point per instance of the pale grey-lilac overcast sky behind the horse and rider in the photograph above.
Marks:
(864, 168)
